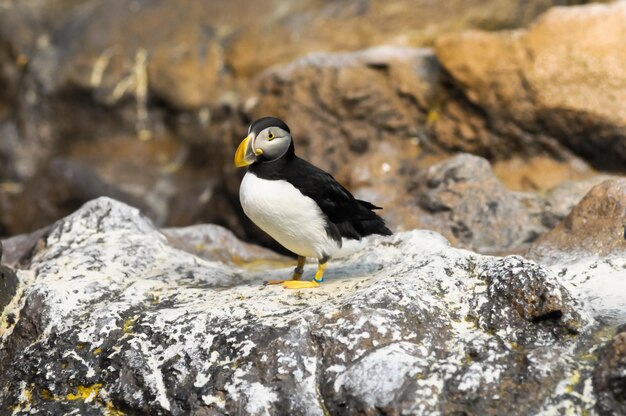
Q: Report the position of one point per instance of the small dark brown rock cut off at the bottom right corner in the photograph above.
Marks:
(609, 379)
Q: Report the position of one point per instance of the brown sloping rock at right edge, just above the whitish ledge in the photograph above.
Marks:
(595, 227)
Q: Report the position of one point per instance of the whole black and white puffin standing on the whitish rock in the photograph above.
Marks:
(299, 205)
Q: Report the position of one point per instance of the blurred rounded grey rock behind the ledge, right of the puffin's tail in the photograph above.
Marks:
(464, 200)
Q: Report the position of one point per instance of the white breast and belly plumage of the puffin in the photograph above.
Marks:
(292, 219)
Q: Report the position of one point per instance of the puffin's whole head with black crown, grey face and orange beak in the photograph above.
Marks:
(268, 139)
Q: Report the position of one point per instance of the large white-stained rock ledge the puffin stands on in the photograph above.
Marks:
(110, 317)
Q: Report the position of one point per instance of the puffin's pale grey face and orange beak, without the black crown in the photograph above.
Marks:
(269, 144)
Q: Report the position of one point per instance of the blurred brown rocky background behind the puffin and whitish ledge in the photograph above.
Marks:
(485, 120)
